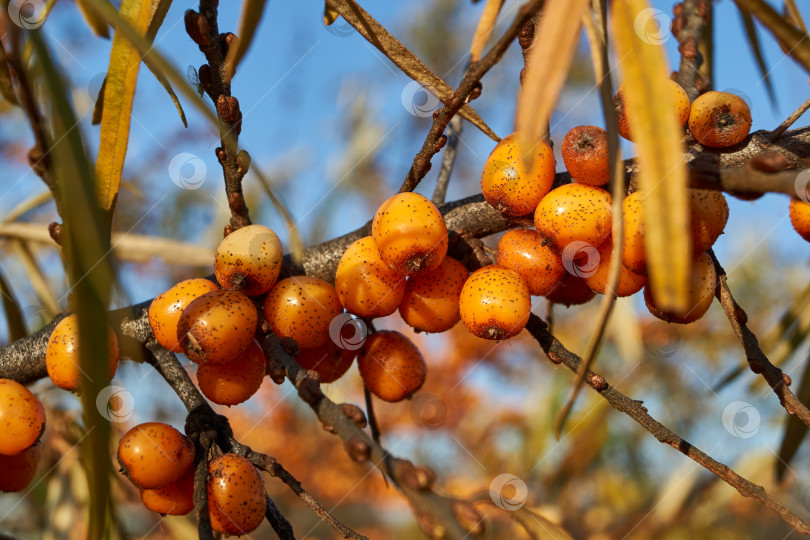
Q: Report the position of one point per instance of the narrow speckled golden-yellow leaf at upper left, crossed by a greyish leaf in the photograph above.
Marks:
(119, 93)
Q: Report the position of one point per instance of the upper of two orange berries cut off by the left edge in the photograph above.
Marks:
(22, 417)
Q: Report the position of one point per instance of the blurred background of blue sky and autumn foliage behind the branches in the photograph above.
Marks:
(326, 120)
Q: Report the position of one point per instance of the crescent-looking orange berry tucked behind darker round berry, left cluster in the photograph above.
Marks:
(165, 309)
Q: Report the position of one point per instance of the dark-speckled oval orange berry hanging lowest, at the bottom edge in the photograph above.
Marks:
(236, 496)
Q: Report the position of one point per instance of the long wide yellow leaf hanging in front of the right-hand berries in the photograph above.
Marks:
(662, 170)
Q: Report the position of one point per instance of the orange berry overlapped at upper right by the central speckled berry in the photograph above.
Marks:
(366, 285)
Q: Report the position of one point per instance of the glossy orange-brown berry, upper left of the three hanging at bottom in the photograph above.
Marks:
(154, 455)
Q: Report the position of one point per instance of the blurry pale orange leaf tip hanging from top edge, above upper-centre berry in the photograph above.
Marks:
(548, 65)
